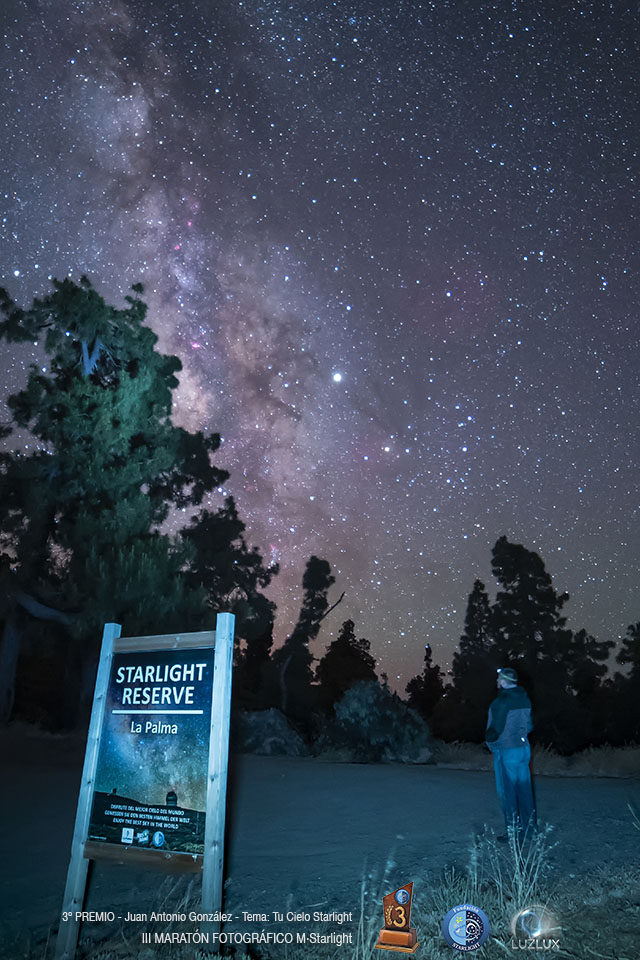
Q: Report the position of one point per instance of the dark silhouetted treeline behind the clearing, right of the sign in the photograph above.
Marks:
(576, 702)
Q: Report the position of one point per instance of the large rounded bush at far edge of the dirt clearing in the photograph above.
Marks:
(374, 724)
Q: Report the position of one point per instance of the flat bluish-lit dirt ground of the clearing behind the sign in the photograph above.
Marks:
(300, 833)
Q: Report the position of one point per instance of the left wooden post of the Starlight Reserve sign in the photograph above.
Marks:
(75, 888)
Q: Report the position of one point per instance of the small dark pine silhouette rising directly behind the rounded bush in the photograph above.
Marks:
(346, 661)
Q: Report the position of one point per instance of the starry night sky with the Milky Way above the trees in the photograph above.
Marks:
(395, 248)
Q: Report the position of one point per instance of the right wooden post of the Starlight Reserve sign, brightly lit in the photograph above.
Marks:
(218, 764)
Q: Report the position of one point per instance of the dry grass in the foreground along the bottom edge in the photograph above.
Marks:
(595, 915)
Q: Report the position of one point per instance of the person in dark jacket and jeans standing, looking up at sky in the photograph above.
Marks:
(508, 726)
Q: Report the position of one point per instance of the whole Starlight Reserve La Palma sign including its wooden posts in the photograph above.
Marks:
(153, 785)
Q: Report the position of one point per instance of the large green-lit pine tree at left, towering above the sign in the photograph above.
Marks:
(82, 510)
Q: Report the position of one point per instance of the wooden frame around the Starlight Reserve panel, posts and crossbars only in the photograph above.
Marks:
(84, 850)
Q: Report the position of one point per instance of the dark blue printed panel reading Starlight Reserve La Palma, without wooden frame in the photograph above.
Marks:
(151, 779)
